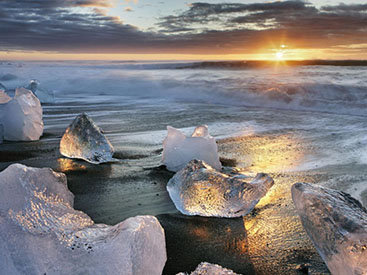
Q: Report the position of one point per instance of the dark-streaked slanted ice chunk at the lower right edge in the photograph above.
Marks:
(337, 225)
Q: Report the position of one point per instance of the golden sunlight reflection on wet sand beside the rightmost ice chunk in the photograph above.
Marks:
(276, 242)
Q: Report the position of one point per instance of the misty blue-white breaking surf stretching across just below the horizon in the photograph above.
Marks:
(335, 90)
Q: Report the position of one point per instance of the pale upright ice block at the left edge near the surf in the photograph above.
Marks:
(22, 116)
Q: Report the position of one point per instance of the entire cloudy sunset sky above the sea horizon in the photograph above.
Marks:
(179, 30)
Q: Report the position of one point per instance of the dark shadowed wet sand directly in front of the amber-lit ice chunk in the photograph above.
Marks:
(191, 240)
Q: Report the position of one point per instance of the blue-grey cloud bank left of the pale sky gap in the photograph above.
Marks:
(57, 25)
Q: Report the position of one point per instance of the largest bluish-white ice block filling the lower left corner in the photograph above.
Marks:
(41, 232)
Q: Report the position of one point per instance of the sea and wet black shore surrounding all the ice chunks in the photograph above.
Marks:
(297, 123)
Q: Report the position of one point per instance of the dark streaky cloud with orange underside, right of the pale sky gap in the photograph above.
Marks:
(298, 22)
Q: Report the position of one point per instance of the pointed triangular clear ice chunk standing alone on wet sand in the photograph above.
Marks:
(84, 140)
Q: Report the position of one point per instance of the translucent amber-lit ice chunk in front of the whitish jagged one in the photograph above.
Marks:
(198, 189)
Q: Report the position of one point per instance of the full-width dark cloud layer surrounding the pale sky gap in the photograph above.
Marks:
(82, 26)
